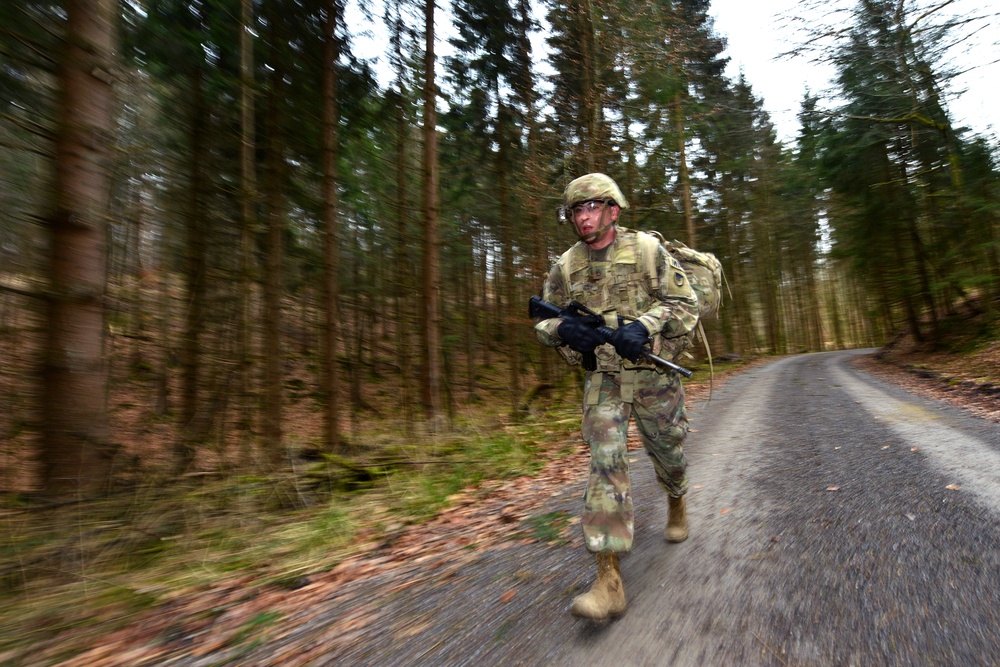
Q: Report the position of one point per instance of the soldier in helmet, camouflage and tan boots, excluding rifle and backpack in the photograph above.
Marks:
(641, 292)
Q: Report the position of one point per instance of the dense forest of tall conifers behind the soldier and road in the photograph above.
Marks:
(231, 255)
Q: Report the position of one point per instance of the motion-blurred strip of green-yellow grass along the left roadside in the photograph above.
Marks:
(72, 573)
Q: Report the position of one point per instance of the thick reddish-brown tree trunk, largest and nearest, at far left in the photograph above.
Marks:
(75, 448)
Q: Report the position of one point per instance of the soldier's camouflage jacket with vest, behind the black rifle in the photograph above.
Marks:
(639, 280)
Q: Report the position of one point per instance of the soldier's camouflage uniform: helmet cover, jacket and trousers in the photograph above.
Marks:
(638, 279)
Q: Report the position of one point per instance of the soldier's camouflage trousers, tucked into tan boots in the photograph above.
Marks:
(658, 407)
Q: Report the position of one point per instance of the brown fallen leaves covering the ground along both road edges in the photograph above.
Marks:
(237, 611)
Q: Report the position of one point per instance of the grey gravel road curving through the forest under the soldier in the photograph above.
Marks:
(835, 520)
